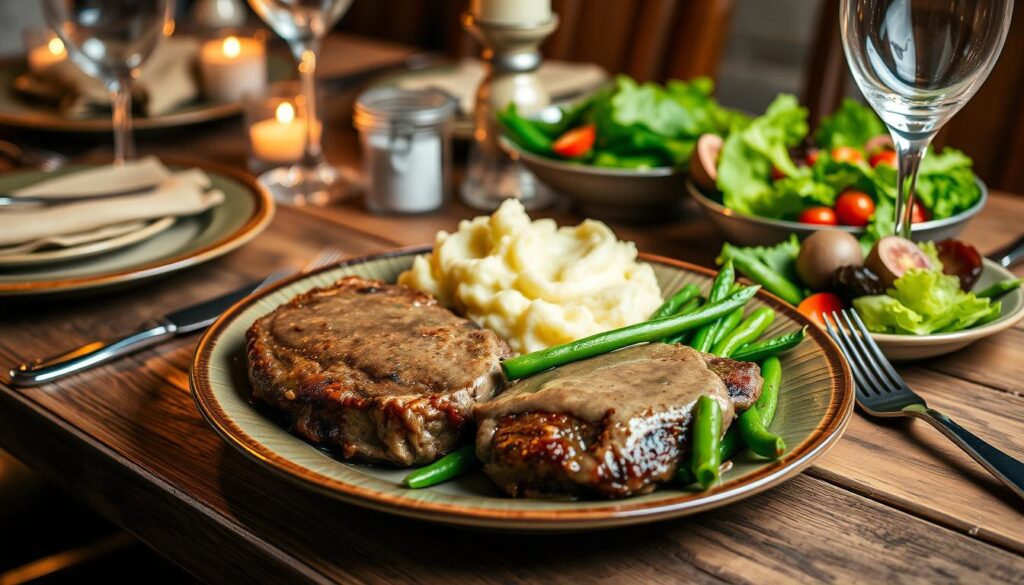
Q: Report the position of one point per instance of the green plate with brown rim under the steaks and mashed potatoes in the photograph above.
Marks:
(815, 406)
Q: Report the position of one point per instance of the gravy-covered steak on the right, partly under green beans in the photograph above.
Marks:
(615, 426)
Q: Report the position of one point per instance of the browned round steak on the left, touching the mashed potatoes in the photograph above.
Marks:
(381, 372)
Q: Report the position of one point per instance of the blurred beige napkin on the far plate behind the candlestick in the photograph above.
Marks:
(563, 80)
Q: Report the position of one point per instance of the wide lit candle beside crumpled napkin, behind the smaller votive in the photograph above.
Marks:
(232, 68)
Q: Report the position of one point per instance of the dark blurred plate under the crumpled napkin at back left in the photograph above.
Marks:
(22, 112)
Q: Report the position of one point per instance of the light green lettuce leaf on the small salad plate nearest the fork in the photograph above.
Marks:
(925, 302)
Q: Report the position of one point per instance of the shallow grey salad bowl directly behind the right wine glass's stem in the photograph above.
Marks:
(755, 231)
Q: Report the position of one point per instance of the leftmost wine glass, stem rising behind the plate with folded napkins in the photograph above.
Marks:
(110, 40)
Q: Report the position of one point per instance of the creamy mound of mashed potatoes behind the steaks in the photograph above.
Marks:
(536, 284)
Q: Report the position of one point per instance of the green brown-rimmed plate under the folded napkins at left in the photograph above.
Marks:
(246, 212)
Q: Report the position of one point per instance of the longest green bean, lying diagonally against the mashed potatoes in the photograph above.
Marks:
(648, 331)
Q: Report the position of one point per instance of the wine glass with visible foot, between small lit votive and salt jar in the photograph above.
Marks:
(303, 24)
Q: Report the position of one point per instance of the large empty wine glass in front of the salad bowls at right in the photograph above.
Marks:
(918, 63)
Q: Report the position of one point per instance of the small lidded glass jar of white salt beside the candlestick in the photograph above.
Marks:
(406, 138)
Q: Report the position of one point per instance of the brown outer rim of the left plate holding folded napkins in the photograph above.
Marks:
(264, 211)
